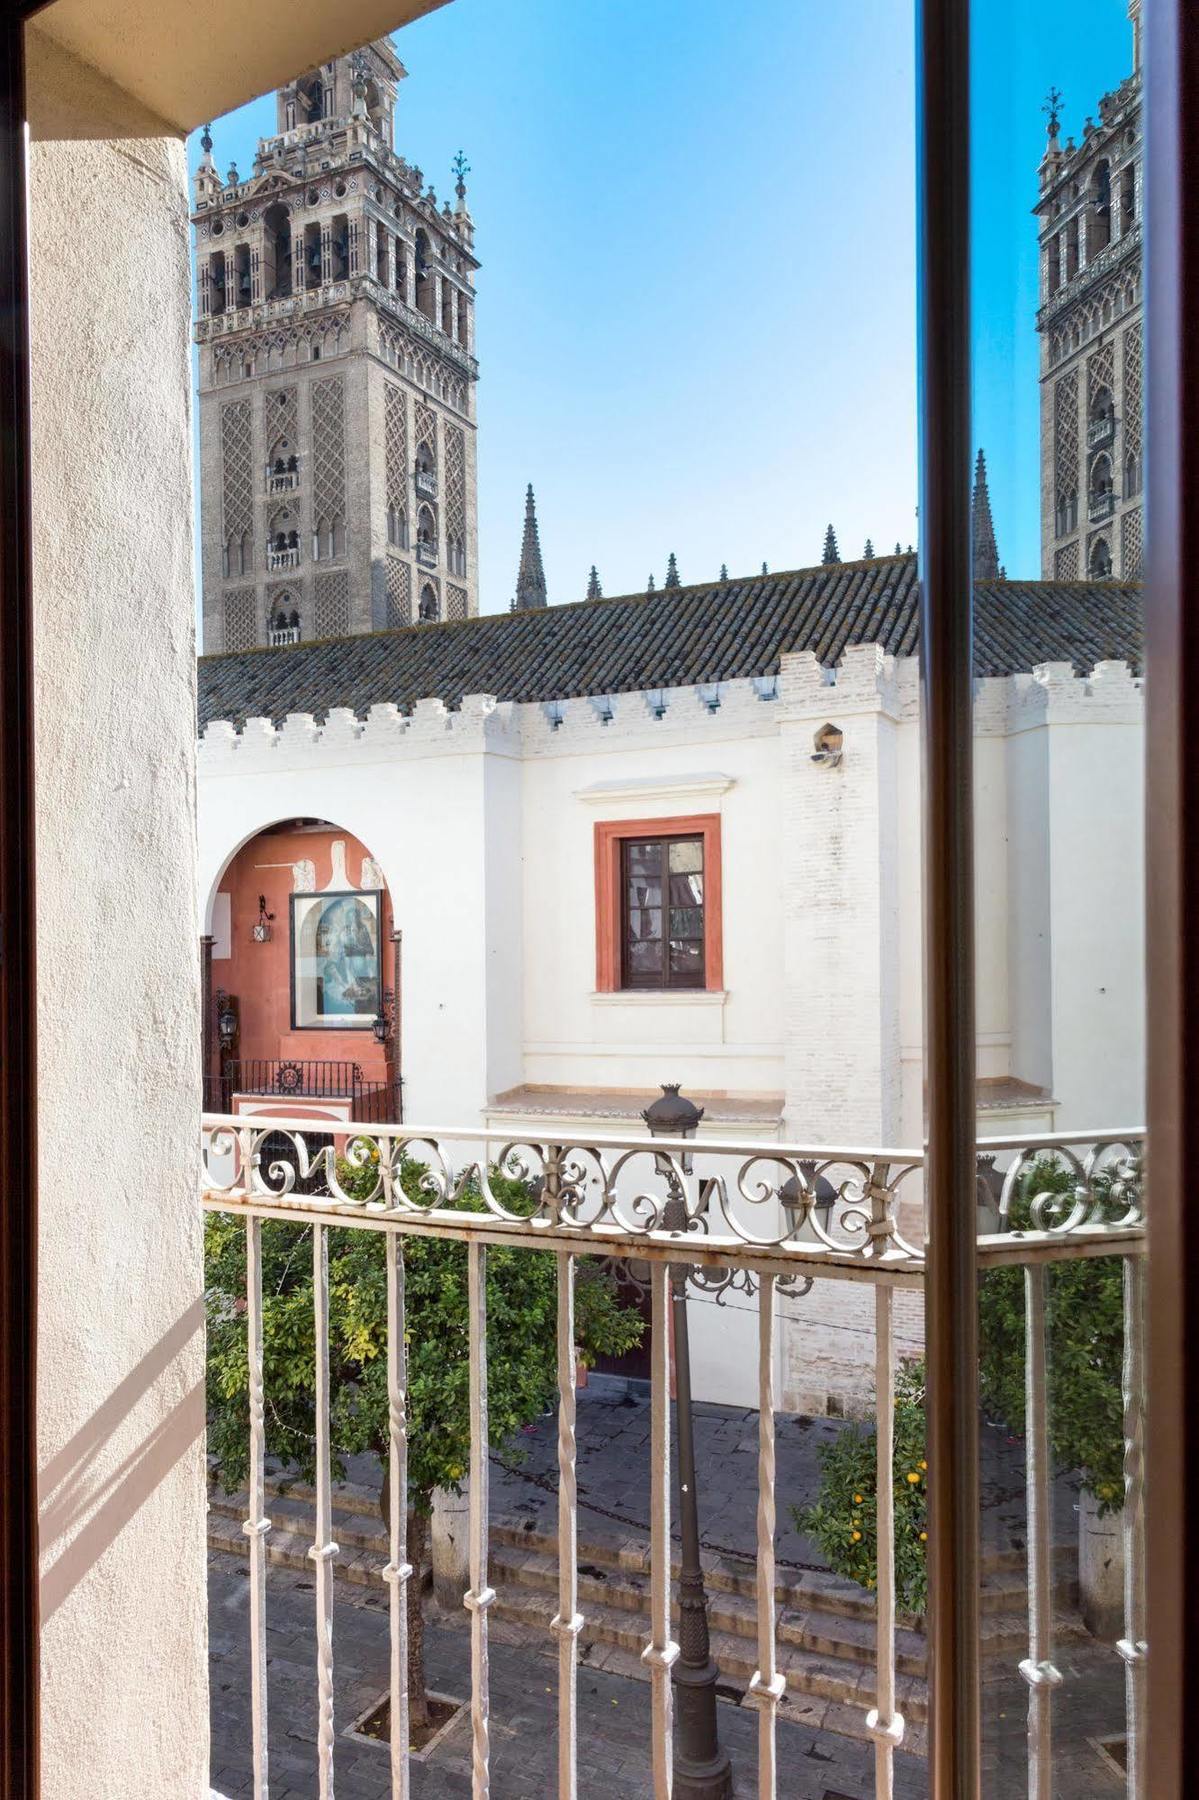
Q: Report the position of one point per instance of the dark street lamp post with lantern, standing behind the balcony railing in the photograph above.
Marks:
(703, 1770)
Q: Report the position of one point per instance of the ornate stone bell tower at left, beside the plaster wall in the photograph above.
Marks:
(338, 375)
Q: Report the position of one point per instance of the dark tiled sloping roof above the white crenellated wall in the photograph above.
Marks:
(714, 631)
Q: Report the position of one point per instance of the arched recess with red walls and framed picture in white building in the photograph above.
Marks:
(302, 980)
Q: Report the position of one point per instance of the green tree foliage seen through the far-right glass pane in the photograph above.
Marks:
(1086, 1347)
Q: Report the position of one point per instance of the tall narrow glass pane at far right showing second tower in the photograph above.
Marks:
(1058, 373)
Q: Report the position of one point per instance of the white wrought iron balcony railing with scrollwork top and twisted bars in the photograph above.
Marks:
(768, 1219)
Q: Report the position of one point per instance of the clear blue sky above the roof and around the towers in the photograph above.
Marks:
(696, 314)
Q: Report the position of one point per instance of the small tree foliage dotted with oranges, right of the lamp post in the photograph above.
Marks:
(843, 1520)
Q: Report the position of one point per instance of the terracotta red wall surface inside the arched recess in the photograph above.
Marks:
(258, 975)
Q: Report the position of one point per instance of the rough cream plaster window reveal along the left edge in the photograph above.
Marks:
(122, 1273)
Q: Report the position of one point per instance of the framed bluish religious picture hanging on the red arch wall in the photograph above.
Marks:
(336, 962)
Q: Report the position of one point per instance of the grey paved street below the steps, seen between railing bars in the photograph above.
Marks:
(613, 1714)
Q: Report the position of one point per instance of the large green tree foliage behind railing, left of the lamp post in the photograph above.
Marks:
(521, 1340)
